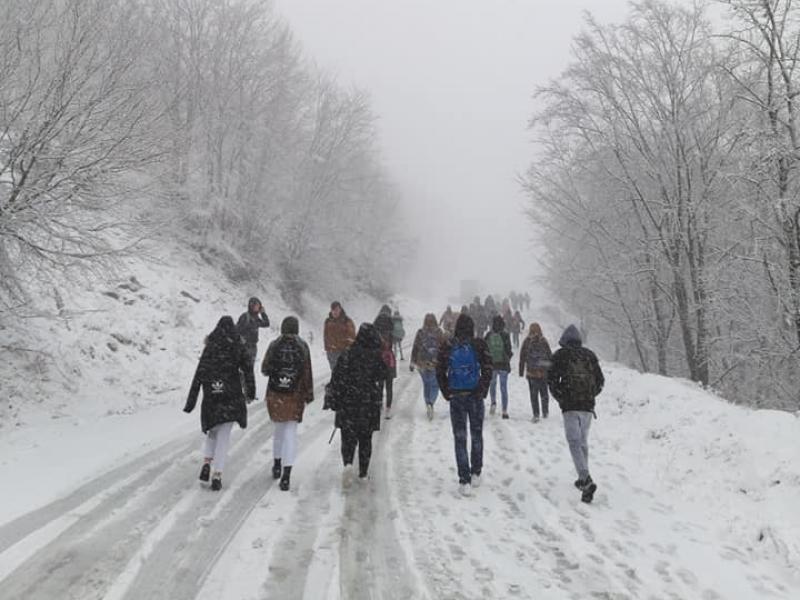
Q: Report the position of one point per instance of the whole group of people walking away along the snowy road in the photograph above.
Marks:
(452, 354)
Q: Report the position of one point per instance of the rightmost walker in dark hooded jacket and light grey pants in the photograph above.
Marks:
(575, 379)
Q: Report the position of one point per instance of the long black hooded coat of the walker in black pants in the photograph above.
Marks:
(356, 383)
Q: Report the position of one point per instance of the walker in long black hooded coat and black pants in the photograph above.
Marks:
(356, 397)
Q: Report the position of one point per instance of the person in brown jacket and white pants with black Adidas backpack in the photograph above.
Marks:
(291, 386)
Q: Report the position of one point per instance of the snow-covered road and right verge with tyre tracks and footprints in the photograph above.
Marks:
(679, 513)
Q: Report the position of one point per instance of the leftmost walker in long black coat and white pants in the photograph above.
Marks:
(224, 365)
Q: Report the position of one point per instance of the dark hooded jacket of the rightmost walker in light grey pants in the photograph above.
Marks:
(559, 380)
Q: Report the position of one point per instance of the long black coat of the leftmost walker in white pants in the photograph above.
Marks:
(219, 375)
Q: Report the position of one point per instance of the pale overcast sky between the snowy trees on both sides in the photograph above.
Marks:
(452, 83)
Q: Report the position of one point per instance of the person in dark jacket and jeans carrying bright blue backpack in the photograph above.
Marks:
(464, 372)
